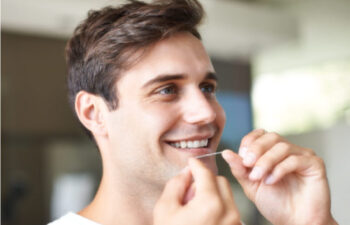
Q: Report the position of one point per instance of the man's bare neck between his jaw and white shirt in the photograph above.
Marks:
(119, 202)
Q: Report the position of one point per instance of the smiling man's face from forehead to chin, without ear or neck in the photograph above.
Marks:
(167, 111)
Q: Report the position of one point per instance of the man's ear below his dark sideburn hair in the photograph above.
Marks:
(90, 111)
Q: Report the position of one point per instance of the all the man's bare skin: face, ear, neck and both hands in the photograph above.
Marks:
(142, 183)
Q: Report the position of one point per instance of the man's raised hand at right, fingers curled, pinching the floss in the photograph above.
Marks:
(287, 183)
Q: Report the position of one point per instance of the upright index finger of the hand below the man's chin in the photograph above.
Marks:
(204, 179)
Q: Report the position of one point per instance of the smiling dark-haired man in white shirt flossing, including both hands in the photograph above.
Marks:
(143, 86)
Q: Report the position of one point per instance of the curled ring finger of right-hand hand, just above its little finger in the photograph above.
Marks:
(270, 159)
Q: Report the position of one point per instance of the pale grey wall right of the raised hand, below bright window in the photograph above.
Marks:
(333, 145)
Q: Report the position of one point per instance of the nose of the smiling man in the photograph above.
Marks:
(198, 109)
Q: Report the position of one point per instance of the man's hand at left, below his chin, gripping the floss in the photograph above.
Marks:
(212, 203)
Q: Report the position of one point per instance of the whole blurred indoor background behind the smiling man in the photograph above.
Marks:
(284, 65)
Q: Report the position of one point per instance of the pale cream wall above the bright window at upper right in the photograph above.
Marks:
(323, 35)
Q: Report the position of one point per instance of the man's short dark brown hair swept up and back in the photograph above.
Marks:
(101, 45)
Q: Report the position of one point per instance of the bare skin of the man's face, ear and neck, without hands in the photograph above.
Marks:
(134, 139)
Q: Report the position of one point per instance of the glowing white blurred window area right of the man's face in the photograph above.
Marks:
(302, 99)
